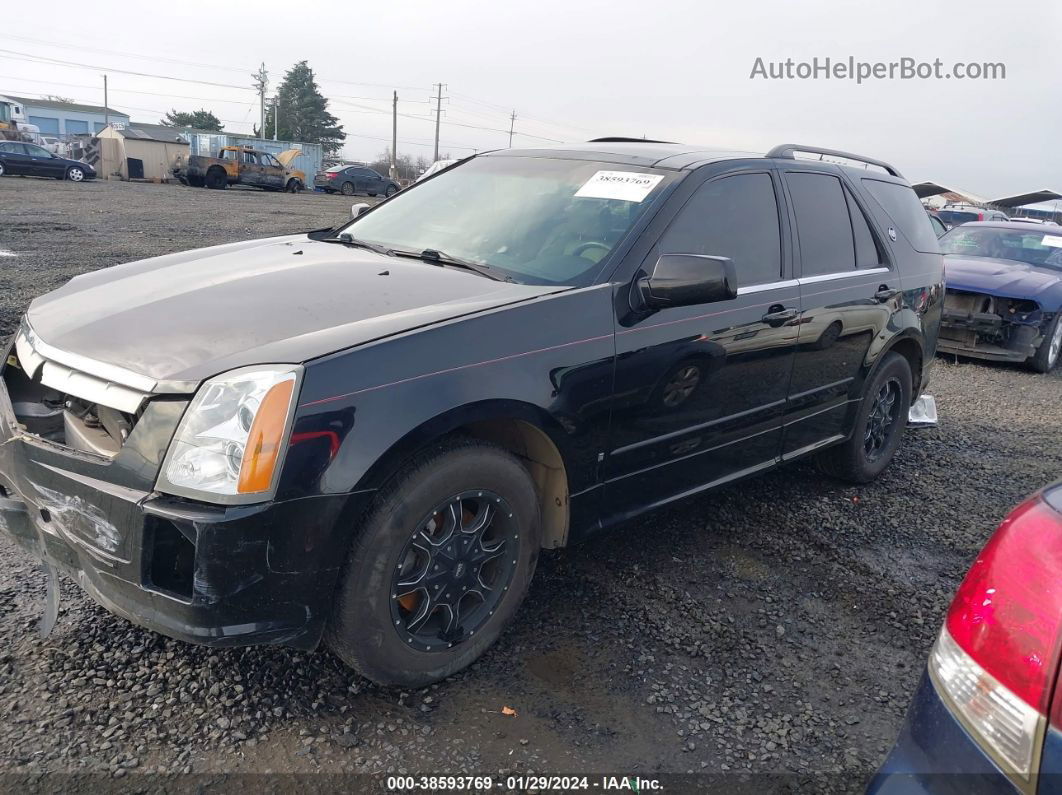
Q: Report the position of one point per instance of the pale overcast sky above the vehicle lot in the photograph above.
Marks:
(578, 70)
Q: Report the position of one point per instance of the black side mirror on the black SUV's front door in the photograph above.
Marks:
(688, 280)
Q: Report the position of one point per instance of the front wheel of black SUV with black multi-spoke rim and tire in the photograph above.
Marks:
(383, 633)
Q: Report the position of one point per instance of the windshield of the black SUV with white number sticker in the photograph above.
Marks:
(537, 221)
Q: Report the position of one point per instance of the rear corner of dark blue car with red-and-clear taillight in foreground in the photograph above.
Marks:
(987, 717)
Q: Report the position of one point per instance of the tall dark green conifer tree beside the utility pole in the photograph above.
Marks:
(303, 112)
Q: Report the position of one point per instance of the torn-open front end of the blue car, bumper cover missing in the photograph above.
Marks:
(991, 327)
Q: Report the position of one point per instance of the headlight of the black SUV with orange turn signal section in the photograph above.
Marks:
(229, 445)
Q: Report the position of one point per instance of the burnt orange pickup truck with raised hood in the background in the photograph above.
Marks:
(244, 166)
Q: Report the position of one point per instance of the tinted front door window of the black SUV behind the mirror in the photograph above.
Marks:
(735, 217)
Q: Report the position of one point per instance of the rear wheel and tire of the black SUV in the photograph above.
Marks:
(870, 448)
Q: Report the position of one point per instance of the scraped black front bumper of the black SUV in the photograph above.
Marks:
(201, 574)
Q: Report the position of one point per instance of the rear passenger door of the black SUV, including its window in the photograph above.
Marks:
(849, 292)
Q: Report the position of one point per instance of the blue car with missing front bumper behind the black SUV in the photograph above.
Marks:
(1004, 293)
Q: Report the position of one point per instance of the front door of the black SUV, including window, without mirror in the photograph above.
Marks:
(701, 391)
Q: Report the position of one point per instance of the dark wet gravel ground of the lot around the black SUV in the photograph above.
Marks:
(777, 628)
